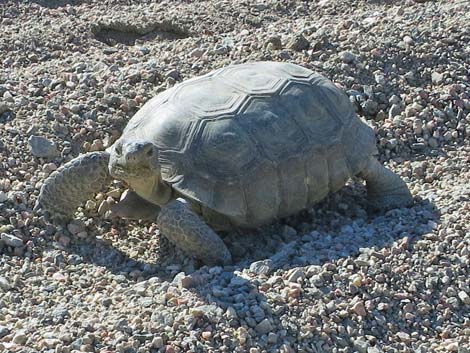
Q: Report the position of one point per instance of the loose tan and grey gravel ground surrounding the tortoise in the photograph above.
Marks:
(335, 278)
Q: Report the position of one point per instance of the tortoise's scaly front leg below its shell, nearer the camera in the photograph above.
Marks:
(183, 227)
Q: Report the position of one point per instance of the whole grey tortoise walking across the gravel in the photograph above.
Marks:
(236, 148)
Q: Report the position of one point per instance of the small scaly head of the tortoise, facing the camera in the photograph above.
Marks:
(133, 159)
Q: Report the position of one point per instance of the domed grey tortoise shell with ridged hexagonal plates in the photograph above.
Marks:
(255, 142)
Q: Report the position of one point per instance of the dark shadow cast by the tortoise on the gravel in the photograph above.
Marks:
(330, 231)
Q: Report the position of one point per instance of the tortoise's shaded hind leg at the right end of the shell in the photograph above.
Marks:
(385, 189)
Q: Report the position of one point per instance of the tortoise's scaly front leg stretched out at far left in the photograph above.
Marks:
(73, 183)
